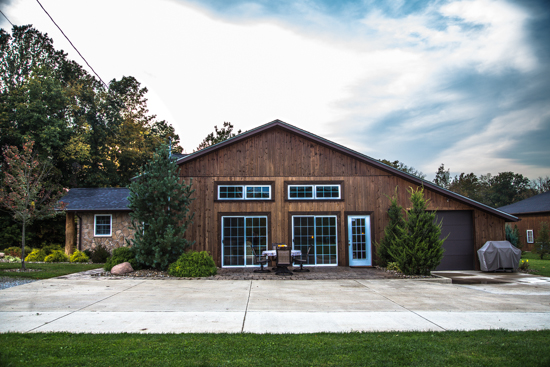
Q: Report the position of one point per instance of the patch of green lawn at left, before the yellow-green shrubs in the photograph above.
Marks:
(47, 270)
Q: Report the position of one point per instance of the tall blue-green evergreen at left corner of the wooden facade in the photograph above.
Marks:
(160, 207)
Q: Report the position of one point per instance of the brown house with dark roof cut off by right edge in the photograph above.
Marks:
(532, 212)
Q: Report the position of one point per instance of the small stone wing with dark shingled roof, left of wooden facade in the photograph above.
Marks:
(103, 218)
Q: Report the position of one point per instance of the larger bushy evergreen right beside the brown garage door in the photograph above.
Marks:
(417, 248)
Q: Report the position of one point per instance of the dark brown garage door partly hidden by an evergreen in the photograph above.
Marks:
(459, 246)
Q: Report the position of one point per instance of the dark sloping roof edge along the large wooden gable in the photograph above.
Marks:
(350, 152)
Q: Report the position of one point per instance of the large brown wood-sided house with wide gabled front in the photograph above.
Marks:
(280, 184)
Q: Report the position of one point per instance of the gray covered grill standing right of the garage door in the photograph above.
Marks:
(498, 255)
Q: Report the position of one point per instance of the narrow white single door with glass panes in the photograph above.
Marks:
(359, 240)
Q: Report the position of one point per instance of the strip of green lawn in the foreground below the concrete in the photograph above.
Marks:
(477, 348)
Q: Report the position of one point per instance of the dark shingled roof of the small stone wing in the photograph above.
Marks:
(112, 199)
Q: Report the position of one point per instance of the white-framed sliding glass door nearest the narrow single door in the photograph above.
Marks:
(321, 231)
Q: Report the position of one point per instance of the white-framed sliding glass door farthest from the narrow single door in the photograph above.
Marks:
(239, 235)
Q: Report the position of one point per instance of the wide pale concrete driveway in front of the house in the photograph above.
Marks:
(272, 306)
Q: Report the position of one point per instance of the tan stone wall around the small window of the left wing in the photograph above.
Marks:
(119, 233)
